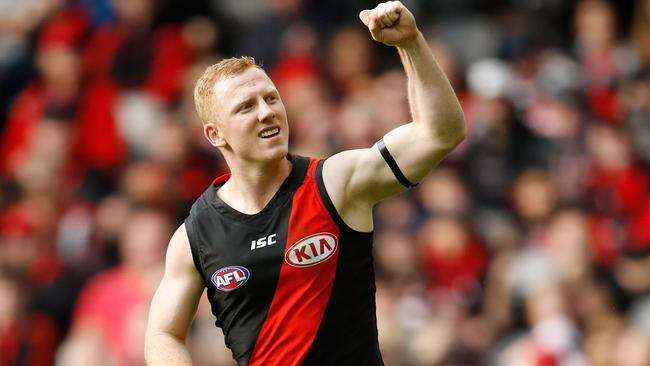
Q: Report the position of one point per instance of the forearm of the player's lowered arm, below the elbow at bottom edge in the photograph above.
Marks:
(165, 349)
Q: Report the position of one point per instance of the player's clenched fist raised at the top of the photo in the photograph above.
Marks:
(390, 23)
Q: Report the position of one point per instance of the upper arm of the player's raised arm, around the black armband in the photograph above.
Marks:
(358, 179)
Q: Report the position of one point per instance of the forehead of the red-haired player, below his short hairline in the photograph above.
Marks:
(252, 80)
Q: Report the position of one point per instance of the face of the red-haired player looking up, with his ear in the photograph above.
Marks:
(251, 119)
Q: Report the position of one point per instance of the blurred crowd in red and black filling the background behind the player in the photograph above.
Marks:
(529, 245)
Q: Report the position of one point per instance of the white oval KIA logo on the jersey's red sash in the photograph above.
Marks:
(311, 250)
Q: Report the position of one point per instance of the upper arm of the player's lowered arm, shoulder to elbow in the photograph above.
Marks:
(175, 301)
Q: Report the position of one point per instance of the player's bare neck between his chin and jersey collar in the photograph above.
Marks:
(251, 186)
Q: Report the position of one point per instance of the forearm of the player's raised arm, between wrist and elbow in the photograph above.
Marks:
(433, 103)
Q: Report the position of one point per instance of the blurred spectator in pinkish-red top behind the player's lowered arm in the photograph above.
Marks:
(111, 308)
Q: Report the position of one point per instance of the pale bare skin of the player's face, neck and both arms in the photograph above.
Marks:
(355, 180)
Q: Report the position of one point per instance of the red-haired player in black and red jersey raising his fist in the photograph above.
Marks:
(283, 243)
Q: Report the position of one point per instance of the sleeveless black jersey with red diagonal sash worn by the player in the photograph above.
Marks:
(292, 284)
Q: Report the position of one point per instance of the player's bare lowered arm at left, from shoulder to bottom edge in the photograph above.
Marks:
(173, 306)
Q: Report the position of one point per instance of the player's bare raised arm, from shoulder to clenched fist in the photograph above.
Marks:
(358, 179)
